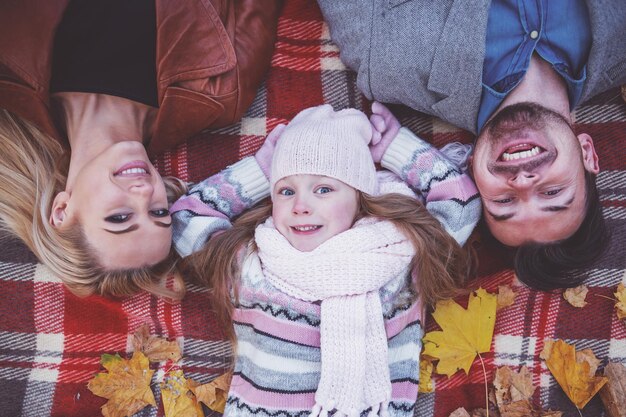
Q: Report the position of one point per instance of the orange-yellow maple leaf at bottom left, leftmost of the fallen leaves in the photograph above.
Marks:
(126, 384)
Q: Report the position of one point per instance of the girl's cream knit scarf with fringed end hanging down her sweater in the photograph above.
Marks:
(345, 273)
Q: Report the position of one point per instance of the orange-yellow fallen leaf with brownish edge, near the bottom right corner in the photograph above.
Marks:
(574, 371)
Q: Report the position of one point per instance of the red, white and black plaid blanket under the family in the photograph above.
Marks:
(51, 341)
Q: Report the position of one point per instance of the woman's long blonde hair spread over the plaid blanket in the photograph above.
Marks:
(33, 169)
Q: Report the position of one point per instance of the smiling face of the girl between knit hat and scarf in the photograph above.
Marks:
(310, 209)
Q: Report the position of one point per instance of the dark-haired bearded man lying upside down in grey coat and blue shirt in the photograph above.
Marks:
(510, 71)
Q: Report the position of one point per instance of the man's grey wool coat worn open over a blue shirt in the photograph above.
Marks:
(428, 54)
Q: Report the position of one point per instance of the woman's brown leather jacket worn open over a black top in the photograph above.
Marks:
(211, 58)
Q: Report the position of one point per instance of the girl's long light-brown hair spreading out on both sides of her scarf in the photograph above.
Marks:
(439, 265)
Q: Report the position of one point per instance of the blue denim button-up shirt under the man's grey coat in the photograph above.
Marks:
(558, 30)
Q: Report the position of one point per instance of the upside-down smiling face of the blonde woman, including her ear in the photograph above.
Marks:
(119, 200)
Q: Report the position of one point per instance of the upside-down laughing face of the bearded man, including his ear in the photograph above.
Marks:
(529, 168)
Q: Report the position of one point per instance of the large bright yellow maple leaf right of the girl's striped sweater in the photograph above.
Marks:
(464, 334)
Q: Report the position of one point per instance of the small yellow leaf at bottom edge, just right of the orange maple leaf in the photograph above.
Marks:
(178, 400)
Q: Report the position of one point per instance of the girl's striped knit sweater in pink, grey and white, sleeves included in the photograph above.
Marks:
(277, 367)
